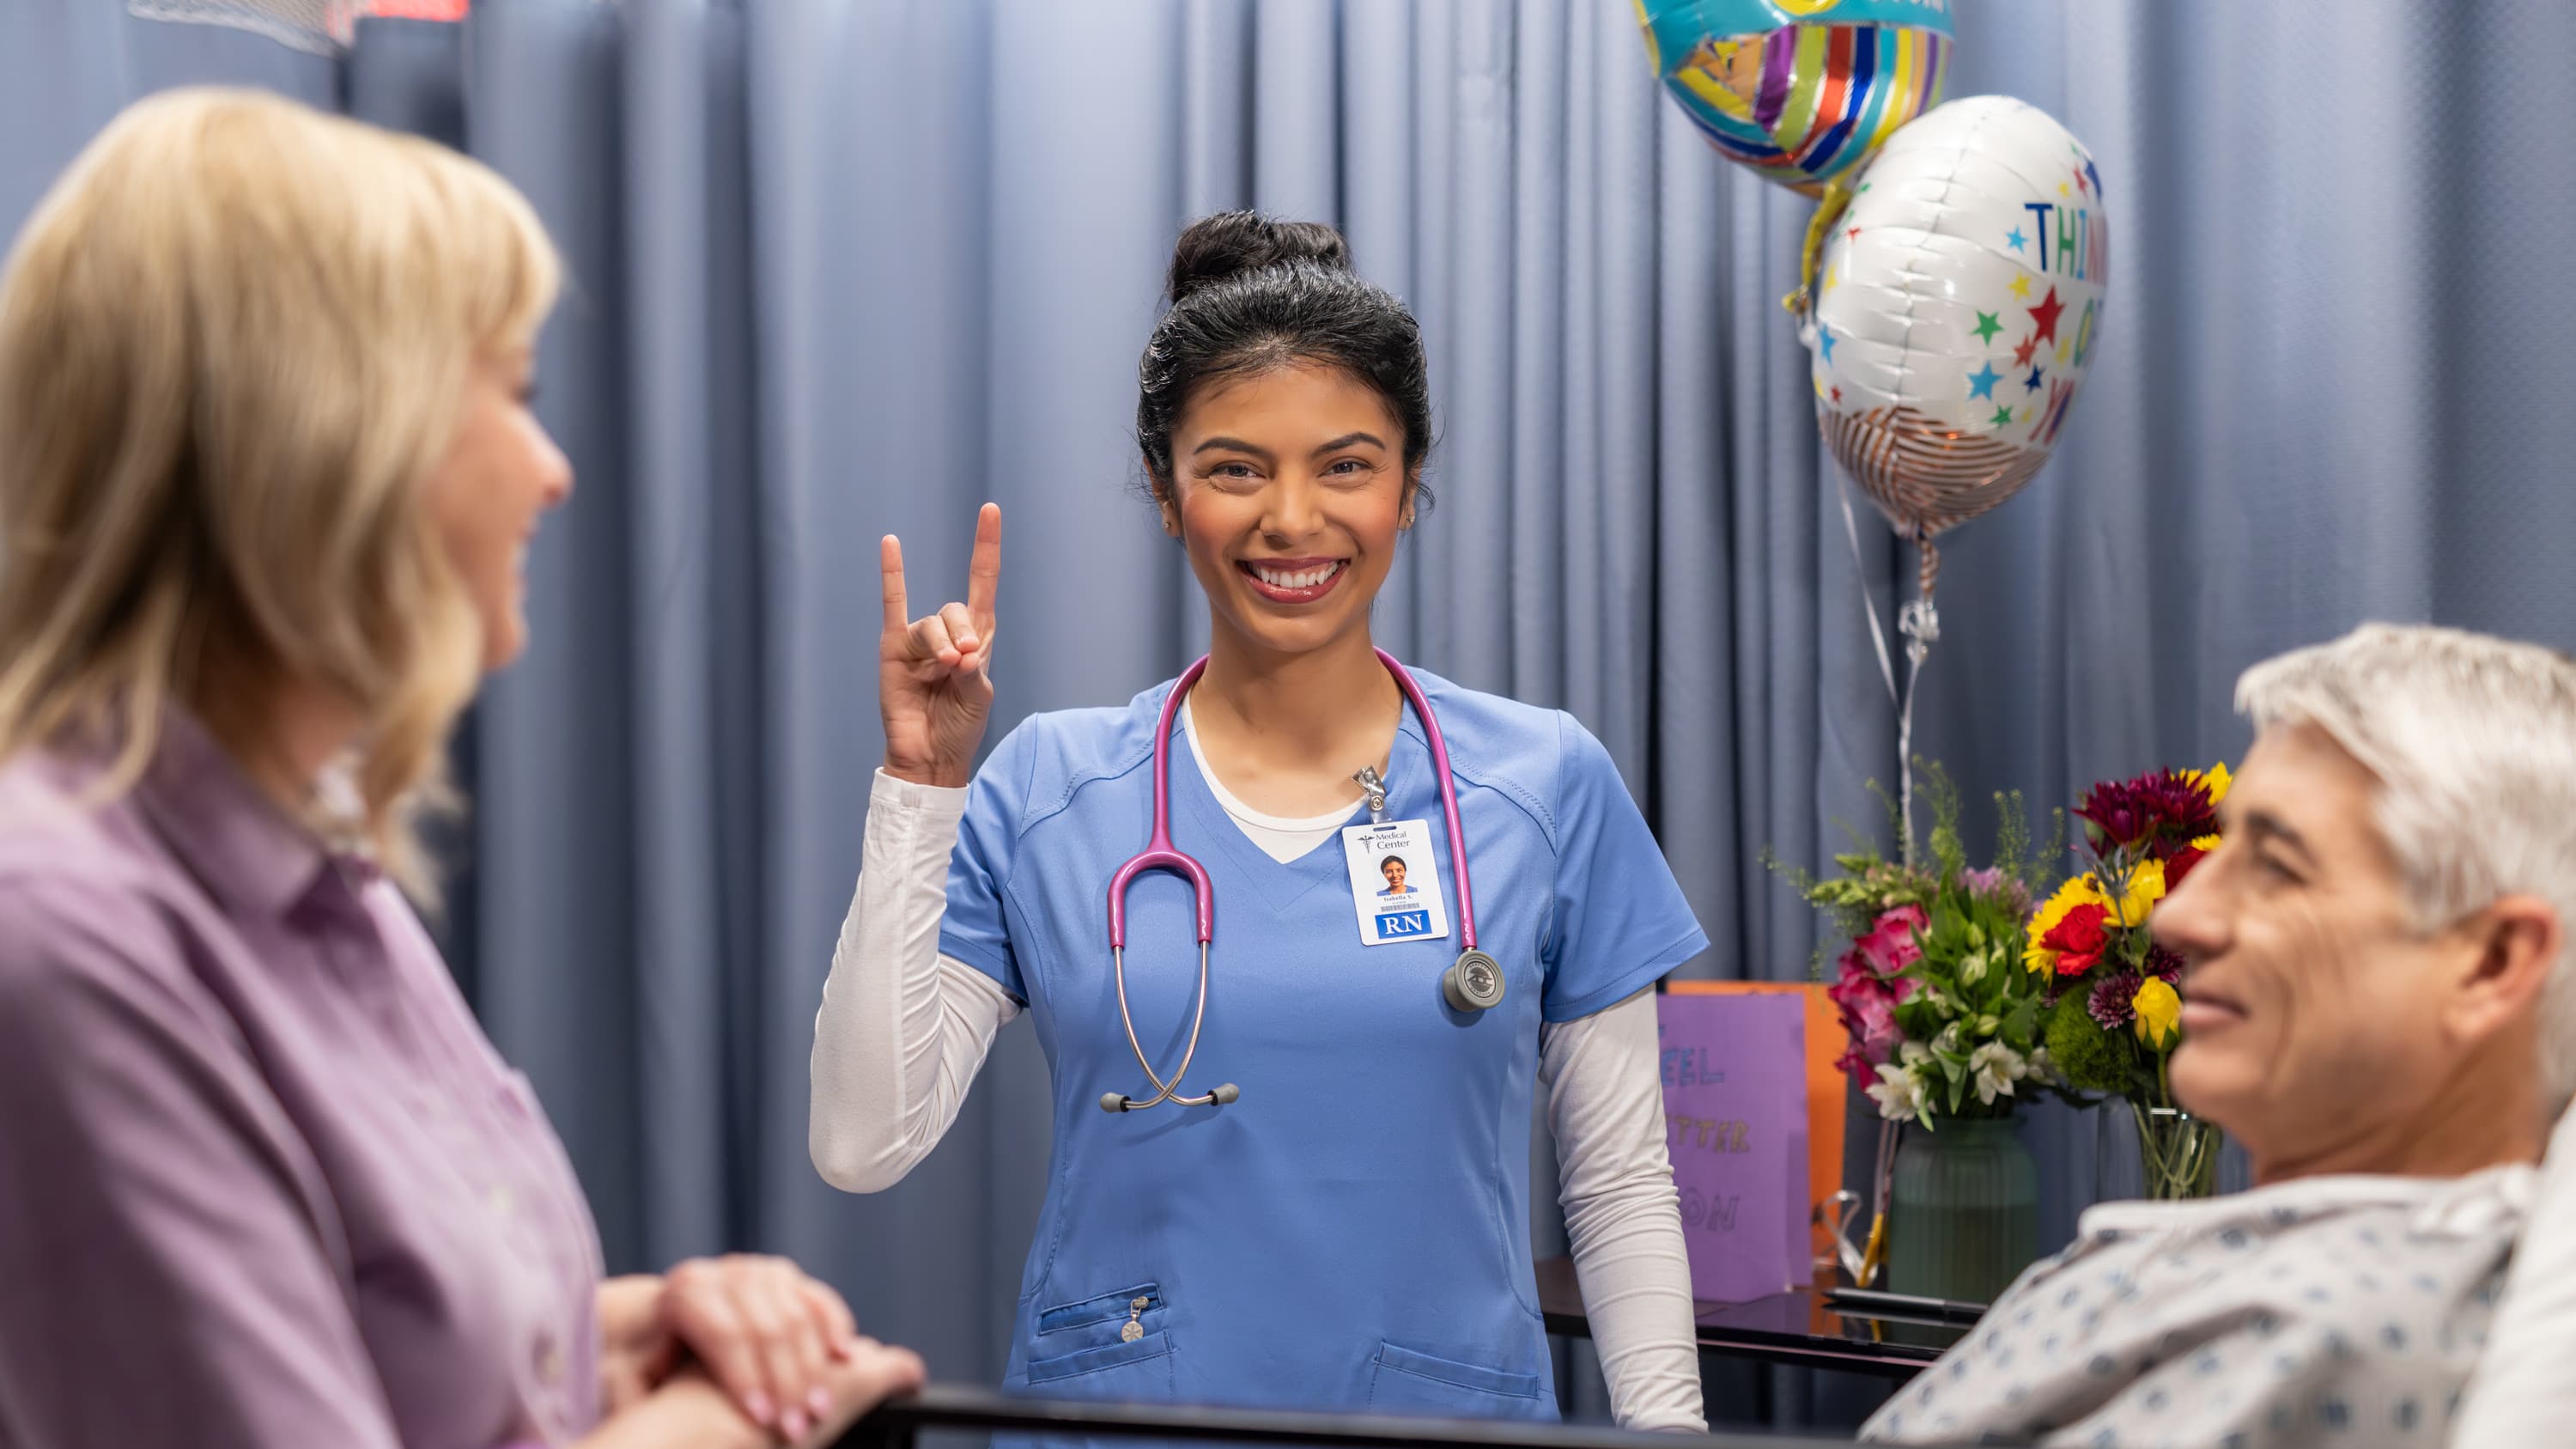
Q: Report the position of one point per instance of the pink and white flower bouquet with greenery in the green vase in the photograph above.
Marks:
(1938, 1020)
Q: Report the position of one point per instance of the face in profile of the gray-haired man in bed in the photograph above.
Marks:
(2307, 973)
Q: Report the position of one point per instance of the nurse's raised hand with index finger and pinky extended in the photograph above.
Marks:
(934, 674)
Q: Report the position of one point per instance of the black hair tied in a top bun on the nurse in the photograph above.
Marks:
(1253, 295)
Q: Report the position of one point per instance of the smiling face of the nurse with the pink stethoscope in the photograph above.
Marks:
(1289, 496)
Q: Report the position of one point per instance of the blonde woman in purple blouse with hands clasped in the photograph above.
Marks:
(267, 481)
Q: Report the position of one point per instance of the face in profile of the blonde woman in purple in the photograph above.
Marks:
(498, 478)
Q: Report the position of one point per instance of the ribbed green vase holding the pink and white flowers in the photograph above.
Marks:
(1964, 1211)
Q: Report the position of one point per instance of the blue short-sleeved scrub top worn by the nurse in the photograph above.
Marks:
(1356, 1231)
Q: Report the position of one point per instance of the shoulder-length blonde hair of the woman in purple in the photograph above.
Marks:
(236, 339)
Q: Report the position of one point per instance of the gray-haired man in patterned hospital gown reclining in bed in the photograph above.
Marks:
(2379, 1009)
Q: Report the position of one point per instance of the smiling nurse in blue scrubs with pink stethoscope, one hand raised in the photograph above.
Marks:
(1331, 1208)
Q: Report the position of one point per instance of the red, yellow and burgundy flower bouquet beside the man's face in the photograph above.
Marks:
(2114, 999)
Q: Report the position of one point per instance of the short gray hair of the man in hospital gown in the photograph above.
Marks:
(2474, 749)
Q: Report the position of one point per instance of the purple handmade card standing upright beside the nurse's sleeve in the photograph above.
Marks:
(1735, 1123)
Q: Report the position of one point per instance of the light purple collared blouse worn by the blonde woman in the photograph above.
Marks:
(261, 1177)
